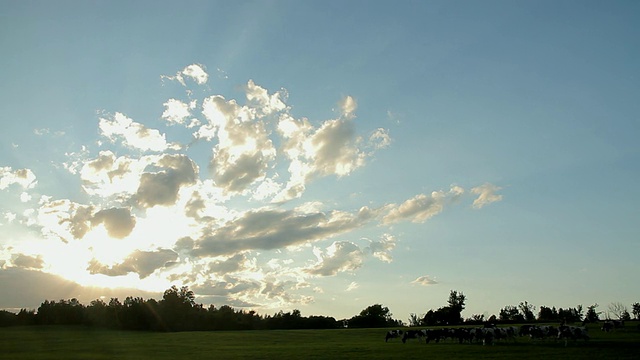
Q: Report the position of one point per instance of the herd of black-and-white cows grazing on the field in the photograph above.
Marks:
(489, 335)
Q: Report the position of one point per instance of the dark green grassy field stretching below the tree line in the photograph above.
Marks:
(55, 342)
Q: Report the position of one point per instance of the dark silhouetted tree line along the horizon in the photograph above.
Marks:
(178, 311)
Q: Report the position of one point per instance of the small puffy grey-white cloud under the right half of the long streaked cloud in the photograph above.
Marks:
(339, 257)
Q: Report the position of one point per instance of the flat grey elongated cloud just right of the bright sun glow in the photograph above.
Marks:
(143, 263)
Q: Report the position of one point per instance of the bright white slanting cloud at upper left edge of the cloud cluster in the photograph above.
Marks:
(133, 134)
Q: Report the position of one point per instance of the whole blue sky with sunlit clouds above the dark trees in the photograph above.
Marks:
(321, 155)
